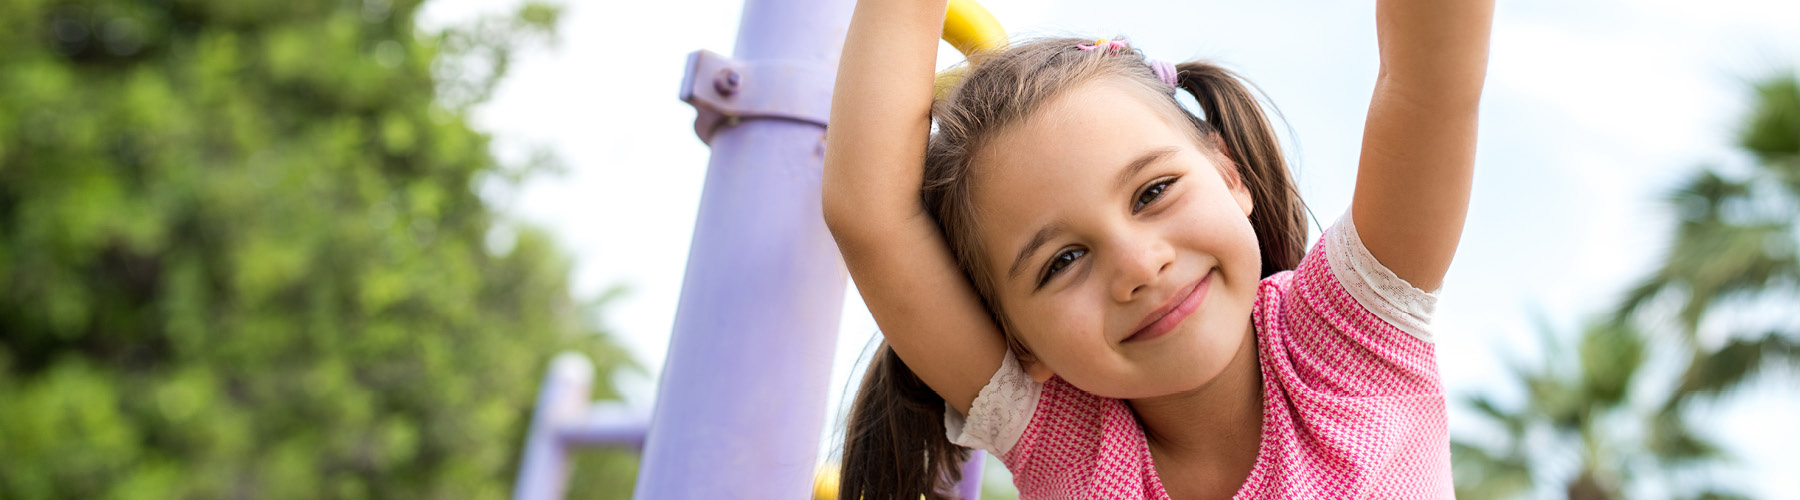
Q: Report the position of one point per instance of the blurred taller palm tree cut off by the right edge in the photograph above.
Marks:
(1736, 247)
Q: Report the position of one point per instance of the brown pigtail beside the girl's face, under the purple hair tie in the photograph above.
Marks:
(1236, 121)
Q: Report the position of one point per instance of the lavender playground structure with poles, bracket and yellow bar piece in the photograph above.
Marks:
(742, 397)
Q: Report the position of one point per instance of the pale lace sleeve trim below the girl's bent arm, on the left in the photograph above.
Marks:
(1000, 415)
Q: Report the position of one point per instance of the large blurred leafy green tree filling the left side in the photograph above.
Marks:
(242, 256)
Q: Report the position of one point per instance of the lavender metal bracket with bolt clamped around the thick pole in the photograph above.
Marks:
(726, 91)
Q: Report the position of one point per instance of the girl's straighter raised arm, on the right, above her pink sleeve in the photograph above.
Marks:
(1412, 190)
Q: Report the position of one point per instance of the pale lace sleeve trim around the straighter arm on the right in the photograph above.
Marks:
(1372, 285)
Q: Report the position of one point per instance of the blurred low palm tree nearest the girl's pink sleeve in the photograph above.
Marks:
(1585, 425)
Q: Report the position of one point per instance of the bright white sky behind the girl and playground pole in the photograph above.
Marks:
(1594, 109)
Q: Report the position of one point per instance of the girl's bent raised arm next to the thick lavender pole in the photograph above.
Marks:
(874, 166)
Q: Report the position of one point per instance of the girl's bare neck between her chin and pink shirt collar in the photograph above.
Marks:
(1218, 424)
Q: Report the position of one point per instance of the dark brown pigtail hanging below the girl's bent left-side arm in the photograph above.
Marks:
(894, 442)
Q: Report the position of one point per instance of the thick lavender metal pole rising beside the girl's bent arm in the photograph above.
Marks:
(744, 388)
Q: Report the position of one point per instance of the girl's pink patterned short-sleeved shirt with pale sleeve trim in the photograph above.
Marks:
(1353, 406)
